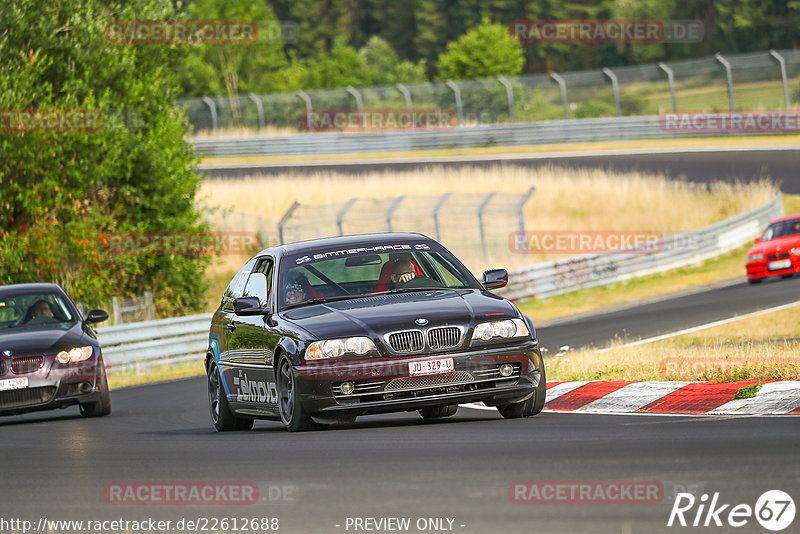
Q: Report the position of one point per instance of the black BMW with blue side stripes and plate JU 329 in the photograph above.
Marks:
(320, 332)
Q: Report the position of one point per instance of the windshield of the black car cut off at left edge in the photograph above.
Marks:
(28, 309)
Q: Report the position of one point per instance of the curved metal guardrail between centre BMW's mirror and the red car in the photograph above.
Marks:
(589, 270)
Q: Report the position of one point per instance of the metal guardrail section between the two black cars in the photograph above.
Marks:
(150, 343)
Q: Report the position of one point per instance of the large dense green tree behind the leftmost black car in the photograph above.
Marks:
(64, 194)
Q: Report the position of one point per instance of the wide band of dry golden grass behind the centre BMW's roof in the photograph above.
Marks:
(565, 200)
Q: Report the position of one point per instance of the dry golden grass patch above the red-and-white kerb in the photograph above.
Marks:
(765, 347)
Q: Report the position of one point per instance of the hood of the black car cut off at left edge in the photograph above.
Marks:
(42, 338)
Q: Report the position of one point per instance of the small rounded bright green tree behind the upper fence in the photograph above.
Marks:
(487, 50)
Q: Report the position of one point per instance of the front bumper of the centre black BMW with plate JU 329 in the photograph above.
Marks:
(384, 384)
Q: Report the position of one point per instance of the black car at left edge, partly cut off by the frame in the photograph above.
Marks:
(49, 354)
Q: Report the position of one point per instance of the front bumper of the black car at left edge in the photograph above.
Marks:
(51, 386)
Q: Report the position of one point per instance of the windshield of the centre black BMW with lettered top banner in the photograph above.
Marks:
(365, 270)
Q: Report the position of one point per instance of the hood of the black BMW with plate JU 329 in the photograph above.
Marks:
(377, 315)
